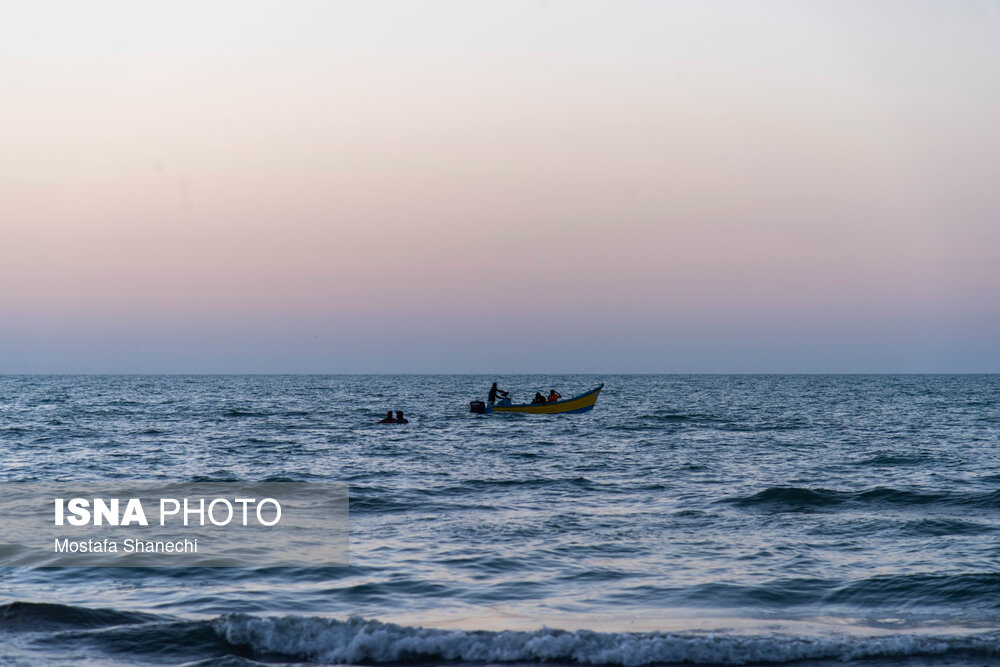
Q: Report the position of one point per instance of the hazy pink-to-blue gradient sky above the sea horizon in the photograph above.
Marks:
(470, 186)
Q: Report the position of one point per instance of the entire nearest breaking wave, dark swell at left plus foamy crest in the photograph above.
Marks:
(240, 639)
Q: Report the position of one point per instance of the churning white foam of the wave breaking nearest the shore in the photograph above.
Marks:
(359, 640)
